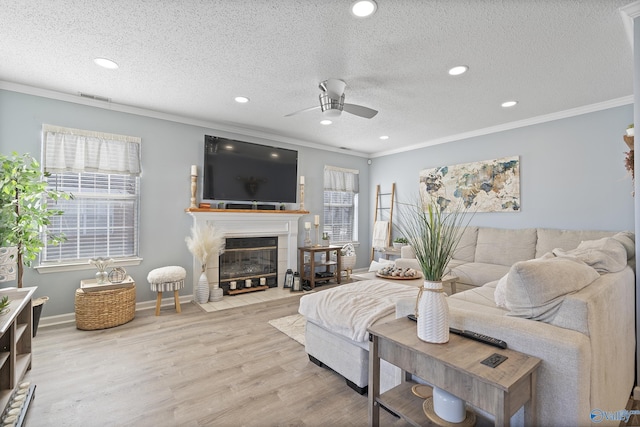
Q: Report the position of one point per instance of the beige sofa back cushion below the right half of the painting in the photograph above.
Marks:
(505, 246)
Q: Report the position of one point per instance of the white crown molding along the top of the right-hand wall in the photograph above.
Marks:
(514, 125)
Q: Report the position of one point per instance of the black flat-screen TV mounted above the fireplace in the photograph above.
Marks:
(243, 171)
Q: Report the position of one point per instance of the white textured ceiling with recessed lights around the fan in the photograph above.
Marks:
(191, 58)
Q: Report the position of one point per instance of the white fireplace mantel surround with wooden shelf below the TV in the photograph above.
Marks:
(251, 223)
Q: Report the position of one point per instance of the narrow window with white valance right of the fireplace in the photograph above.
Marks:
(341, 204)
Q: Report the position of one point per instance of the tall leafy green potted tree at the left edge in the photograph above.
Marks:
(25, 214)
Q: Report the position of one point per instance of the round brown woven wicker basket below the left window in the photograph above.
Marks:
(105, 309)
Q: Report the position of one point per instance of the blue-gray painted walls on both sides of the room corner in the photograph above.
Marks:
(572, 176)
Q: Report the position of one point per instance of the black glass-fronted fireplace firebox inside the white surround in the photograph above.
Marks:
(248, 264)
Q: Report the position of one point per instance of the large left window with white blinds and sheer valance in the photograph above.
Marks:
(102, 171)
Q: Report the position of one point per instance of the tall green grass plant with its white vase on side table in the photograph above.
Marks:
(434, 234)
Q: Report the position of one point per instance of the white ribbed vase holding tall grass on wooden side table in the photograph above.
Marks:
(433, 313)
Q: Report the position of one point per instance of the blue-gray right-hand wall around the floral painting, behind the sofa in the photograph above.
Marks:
(572, 171)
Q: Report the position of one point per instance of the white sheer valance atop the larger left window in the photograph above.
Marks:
(76, 150)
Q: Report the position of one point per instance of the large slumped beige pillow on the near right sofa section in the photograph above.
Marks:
(537, 287)
